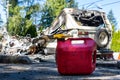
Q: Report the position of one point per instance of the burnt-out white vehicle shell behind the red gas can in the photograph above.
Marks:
(84, 23)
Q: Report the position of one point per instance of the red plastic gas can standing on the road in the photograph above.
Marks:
(76, 56)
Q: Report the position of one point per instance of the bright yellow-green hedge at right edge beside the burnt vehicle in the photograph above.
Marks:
(116, 42)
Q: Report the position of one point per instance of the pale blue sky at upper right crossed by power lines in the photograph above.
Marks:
(105, 5)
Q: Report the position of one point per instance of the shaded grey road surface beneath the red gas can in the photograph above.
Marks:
(47, 71)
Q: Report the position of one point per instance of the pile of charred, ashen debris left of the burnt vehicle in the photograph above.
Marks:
(13, 47)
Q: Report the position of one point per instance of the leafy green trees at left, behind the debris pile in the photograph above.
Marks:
(19, 24)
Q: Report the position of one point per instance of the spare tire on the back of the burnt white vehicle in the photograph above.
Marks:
(102, 38)
